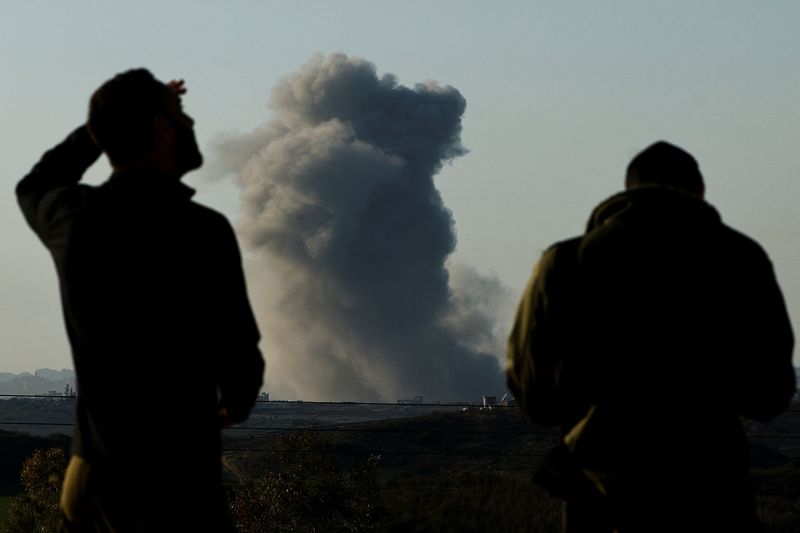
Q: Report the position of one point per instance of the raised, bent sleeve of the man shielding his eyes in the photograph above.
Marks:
(48, 192)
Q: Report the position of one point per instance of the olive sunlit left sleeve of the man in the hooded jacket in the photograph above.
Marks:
(533, 363)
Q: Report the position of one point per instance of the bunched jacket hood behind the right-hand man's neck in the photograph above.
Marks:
(653, 205)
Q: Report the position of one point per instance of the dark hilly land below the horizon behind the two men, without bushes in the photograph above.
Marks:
(439, 468)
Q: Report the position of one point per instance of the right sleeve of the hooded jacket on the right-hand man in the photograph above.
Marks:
(765, 343)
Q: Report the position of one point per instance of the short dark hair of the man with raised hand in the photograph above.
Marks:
(121, 113)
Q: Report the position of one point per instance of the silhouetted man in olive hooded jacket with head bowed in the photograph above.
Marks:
(646, 339)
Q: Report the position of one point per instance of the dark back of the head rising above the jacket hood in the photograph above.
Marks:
(666, 165)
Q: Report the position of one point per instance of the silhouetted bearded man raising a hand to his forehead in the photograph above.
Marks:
(163, 338)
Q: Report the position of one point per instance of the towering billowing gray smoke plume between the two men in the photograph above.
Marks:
(349, 237)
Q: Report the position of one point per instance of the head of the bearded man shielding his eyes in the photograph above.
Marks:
(138, 121)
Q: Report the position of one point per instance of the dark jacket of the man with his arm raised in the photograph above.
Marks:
(156, 310)
